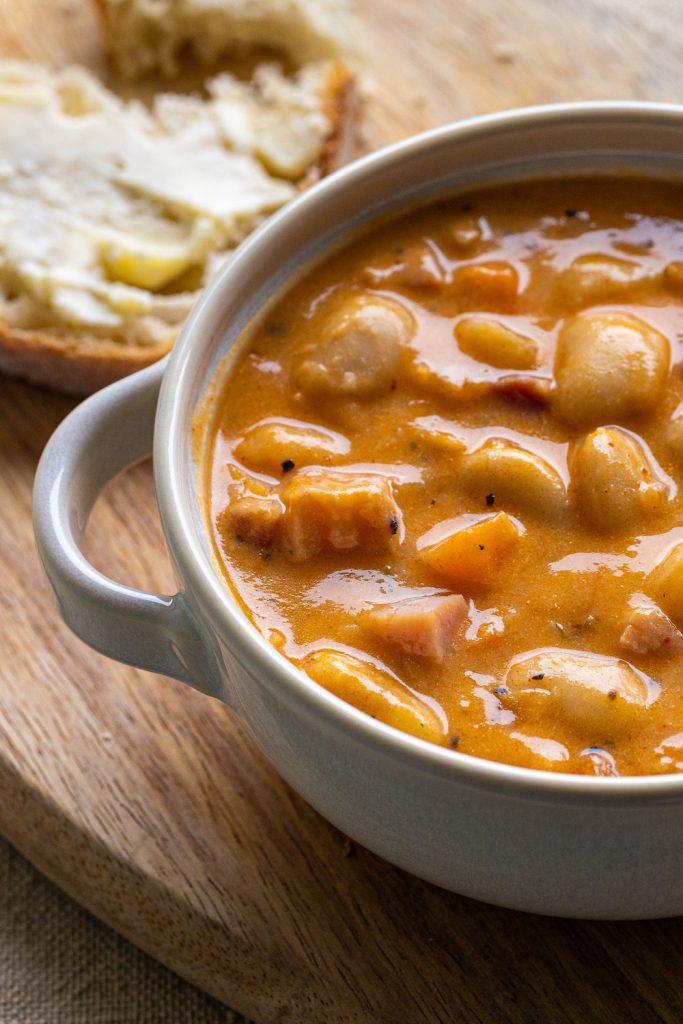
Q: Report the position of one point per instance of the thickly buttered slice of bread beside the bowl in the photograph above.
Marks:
(113, 217)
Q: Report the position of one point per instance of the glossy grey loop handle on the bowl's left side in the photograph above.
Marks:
(104, 436)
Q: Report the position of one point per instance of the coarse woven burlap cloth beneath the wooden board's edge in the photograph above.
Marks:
(61, 966)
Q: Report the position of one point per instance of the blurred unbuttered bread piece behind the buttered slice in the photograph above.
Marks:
(165, 32)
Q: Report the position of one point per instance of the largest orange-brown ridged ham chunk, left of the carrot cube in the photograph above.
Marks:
(339, 513)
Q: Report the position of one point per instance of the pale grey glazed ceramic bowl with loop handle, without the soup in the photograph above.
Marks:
(536, 841)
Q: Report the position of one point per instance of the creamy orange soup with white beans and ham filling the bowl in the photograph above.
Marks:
(446, 477)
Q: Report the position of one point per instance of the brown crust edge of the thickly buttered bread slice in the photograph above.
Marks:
(79, 364)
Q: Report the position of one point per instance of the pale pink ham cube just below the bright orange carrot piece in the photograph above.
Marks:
(420, 627)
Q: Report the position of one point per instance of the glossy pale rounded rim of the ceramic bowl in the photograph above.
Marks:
(177, 506)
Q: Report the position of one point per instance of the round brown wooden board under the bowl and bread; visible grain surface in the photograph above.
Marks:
(147, 802)
